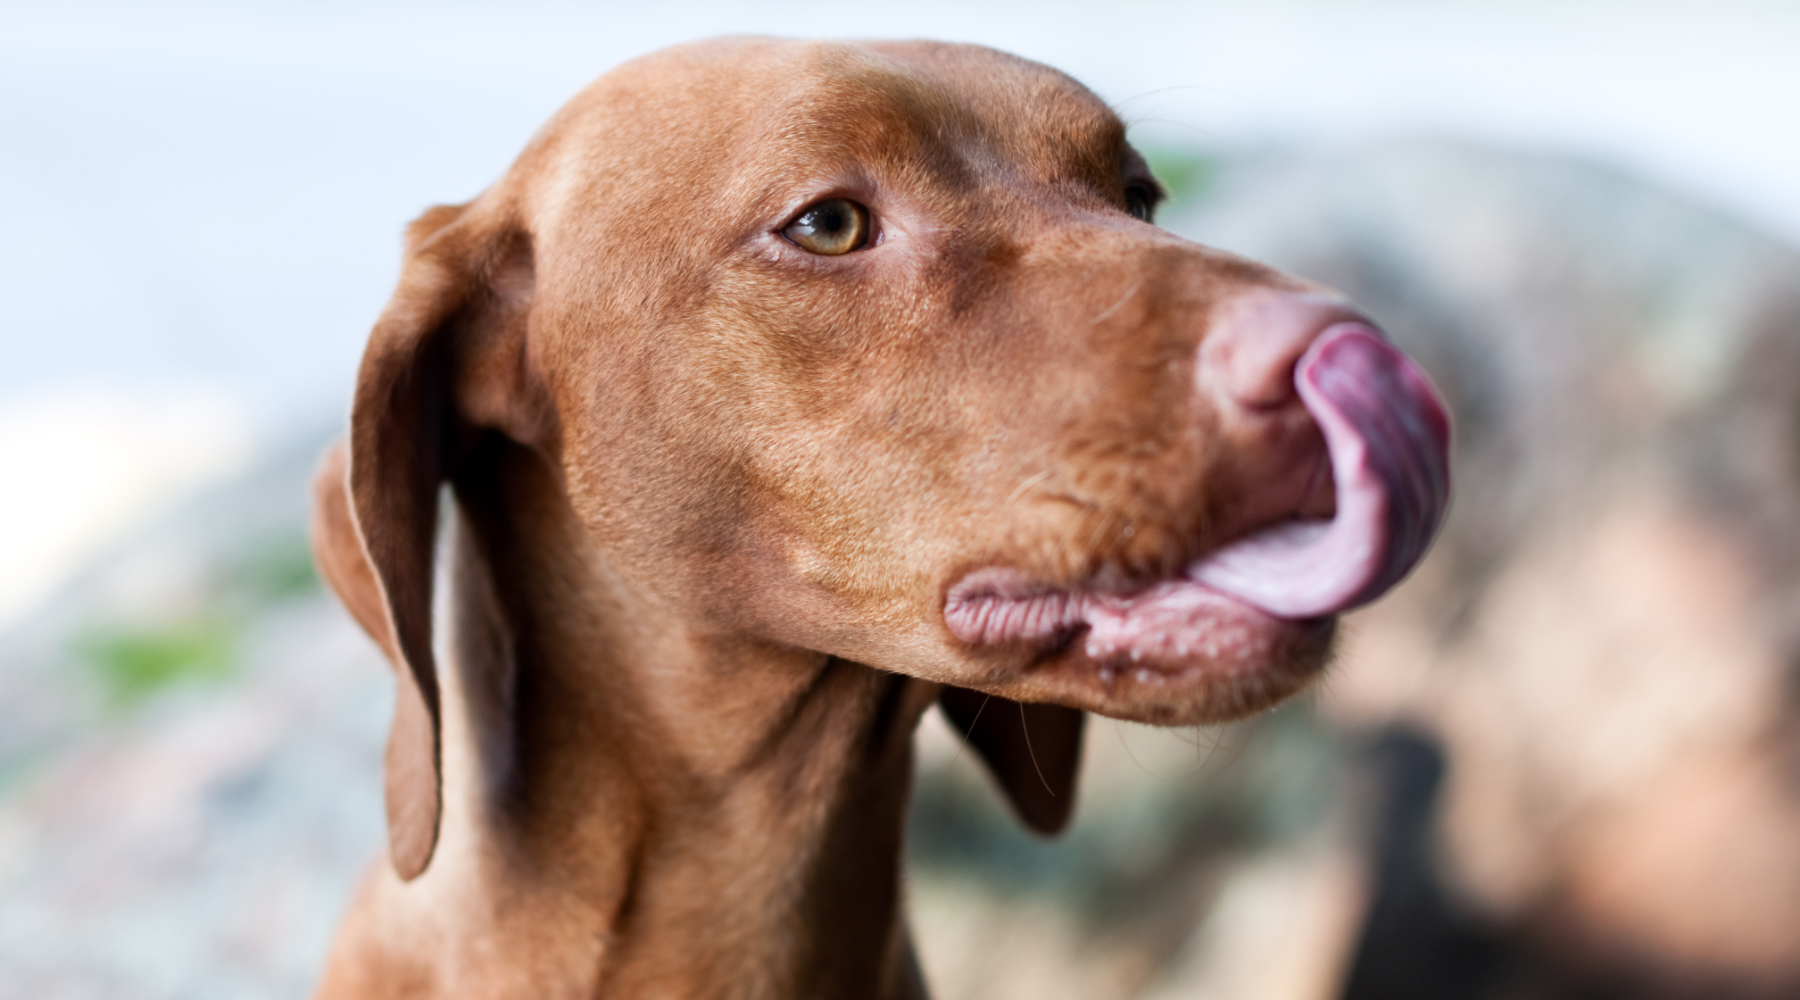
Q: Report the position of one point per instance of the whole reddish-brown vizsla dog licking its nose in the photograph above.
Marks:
(784, 391)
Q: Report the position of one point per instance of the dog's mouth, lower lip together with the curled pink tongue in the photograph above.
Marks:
(1243, 607)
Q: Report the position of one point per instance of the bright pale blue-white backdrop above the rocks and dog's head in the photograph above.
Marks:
(201, 206)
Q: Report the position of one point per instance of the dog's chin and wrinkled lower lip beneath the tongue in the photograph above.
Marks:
(1173, 654)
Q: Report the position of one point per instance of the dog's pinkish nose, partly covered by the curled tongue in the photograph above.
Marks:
(1255, 341)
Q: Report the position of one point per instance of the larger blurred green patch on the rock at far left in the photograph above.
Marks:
(134, 665)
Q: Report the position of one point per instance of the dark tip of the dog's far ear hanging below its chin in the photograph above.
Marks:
(1032, 751)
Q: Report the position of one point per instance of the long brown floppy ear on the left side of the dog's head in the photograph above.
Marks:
(444, 352)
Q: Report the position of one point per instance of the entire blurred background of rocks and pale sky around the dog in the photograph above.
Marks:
(1561, 762)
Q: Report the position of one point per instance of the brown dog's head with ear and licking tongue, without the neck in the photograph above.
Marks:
(874, 350)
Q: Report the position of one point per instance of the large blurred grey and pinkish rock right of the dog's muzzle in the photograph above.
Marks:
(1603, 643)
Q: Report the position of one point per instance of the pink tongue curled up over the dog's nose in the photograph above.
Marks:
(1389, 438)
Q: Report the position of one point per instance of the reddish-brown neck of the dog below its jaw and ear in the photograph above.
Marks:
(638, 808)
